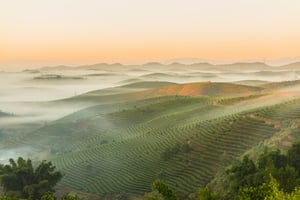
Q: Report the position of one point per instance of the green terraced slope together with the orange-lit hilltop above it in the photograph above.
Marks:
(112, 148)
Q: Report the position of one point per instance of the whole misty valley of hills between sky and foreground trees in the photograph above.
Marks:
(114, 129)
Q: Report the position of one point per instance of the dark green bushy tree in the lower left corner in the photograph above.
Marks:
(19, 179)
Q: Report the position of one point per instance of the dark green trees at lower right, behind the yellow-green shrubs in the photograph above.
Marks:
(284, 168)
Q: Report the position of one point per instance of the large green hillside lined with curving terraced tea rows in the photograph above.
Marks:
(125, 154)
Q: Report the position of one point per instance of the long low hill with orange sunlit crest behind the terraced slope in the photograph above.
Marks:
(191, 89)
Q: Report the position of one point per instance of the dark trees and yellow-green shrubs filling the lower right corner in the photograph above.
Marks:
(274, 176)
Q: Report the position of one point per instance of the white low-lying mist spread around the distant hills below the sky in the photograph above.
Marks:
(32, 98)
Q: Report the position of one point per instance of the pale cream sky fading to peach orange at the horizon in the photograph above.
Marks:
(74, 32)
